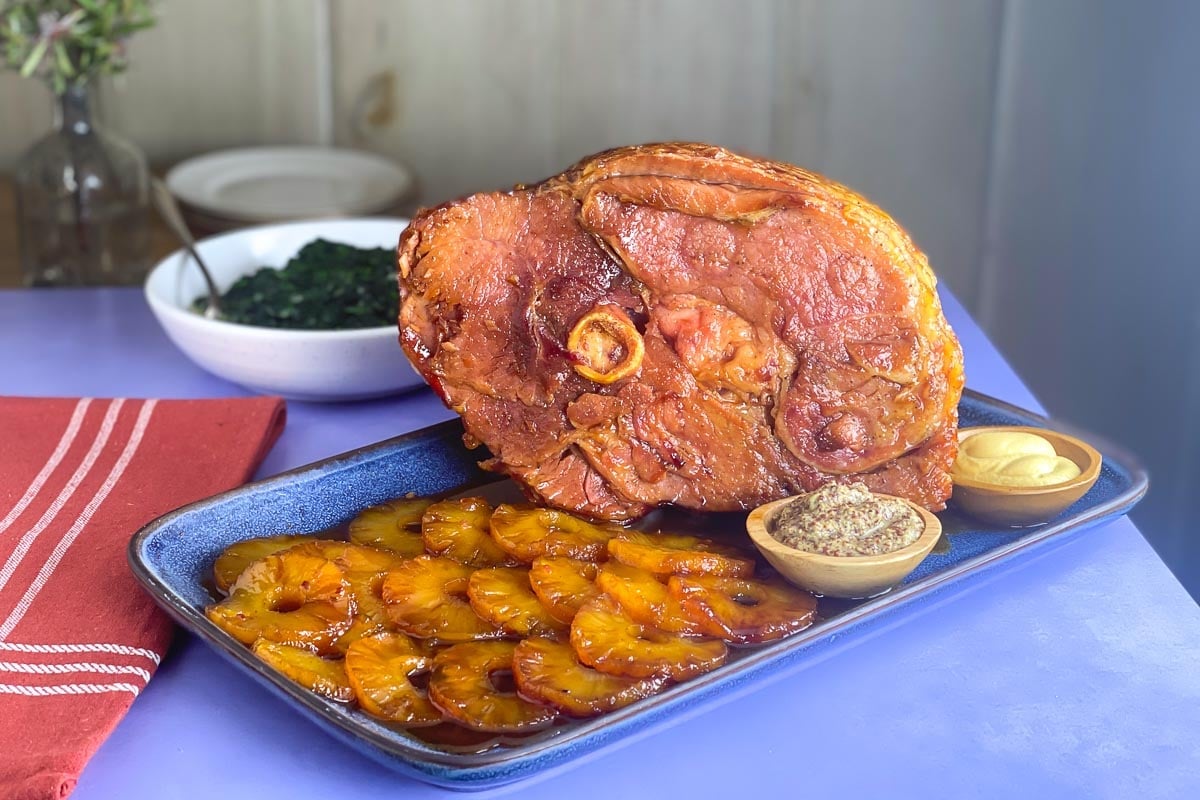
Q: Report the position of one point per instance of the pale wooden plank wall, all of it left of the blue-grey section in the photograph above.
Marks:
(891, 97)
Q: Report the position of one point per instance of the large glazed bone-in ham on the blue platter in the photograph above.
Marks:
(679, 324)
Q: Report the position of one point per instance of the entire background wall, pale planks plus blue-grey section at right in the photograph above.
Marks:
(1041, 152)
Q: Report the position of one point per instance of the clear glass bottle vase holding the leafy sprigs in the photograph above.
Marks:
(82, 202)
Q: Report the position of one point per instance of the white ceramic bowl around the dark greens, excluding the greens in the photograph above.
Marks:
(301, 365)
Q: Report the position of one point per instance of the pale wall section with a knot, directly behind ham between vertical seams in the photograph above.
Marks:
(893, 99)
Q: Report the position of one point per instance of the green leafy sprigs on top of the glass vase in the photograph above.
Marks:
(68, 43)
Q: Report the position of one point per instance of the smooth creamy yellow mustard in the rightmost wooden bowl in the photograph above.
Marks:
(1012, 459)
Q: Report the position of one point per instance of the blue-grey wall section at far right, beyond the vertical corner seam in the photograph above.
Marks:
(1091, 273)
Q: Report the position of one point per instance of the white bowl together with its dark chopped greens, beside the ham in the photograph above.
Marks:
(345, 294)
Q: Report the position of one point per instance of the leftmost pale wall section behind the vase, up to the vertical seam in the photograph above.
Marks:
(214, 74)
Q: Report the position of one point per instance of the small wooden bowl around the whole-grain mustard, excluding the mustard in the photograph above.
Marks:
(842, 576)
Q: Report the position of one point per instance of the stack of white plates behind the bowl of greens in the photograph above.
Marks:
(232, 189)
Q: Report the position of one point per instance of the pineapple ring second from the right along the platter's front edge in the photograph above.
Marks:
(607, 639)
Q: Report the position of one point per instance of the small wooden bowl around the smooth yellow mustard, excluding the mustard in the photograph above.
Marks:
(1018, 506)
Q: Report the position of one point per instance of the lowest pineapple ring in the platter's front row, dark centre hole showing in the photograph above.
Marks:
(461, 685)
